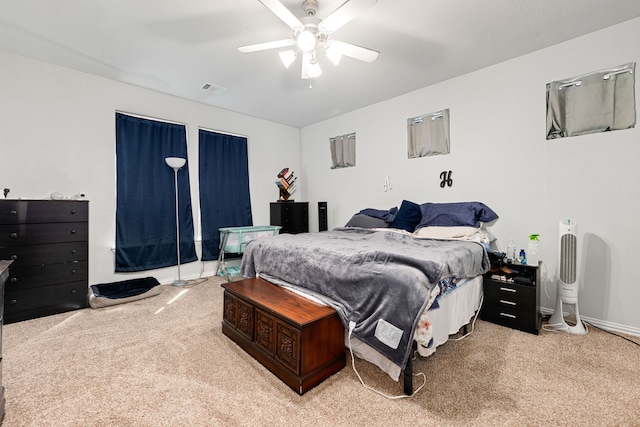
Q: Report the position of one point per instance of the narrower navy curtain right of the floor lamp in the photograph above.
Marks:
(224, 187)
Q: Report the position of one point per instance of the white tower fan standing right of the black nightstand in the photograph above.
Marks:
(567, 282)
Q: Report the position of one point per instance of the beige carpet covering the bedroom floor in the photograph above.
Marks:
(164, 362)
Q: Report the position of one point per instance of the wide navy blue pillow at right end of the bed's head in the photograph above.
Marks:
(468, 214)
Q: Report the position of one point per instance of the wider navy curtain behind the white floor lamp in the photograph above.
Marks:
(145, 200)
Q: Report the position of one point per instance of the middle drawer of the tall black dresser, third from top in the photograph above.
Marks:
(53, 253)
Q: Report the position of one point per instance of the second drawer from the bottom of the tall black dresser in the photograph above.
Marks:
(48, 274)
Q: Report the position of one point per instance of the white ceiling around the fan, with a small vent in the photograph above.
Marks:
(176, 47)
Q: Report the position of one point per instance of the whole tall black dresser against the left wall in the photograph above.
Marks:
(48, 242)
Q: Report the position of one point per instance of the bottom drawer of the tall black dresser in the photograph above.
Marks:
(25, 304)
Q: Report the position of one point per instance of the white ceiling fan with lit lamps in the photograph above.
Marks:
(310, 35)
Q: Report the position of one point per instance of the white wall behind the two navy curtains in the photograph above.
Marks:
(57, 133)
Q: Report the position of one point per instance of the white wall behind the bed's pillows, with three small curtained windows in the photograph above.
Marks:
(499, 155)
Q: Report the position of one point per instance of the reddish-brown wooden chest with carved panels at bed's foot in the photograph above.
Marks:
(299, 341)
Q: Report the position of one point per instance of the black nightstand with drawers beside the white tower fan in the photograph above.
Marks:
(512, 296)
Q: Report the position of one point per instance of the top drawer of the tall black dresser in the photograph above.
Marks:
(38, 211)
